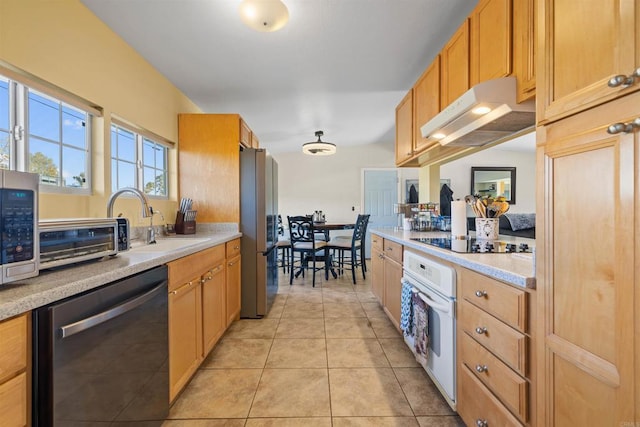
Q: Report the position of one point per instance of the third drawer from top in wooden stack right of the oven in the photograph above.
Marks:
(508, 386)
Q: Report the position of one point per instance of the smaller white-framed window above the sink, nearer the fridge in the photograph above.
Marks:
(138, 161)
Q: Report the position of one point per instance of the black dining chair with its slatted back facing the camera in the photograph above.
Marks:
(309, 250)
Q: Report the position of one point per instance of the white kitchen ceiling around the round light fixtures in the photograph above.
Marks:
(340, 66)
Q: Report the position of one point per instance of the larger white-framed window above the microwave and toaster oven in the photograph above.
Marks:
(42, 134)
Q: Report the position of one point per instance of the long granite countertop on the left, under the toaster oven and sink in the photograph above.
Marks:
(56, 284)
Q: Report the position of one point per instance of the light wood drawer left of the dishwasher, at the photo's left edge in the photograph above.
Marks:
(13, 342)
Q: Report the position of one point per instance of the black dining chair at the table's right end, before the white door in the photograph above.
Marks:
(351, 251)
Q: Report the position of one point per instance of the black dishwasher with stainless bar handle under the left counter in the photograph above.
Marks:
(101, 358)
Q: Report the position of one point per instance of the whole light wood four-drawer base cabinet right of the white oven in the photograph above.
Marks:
(495, 360)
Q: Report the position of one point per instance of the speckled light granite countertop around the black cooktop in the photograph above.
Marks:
(516, 269)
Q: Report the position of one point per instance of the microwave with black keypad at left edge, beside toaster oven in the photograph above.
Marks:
(19, 225)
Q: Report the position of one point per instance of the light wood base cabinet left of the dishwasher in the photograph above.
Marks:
(15, 339)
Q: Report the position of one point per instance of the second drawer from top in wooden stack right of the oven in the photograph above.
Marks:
(505, 342)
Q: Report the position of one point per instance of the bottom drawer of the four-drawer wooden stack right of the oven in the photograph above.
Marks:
(477, 406)
